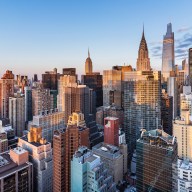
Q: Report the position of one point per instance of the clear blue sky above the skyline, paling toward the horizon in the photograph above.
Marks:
(39, 35)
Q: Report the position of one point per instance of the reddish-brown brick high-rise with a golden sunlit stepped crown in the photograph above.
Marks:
(65, 143)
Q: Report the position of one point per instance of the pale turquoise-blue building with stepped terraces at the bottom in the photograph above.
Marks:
(89, 174)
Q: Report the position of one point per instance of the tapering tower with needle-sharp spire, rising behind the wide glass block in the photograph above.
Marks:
(143, 61)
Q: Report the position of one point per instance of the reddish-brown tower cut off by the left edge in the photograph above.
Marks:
(6, 91)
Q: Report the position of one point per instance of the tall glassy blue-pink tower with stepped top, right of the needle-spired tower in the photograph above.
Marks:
(168, 55)
